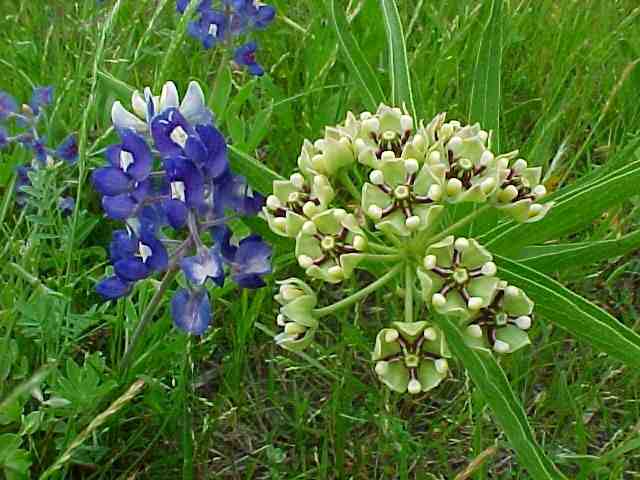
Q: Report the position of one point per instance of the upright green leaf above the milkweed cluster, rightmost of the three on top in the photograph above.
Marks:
(485, 90)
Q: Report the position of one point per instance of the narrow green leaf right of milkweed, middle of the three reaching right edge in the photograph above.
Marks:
(565, 256)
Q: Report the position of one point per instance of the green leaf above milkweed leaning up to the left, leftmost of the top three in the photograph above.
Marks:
(371, 90)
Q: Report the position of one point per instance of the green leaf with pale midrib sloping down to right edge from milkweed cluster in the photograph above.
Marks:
(573, 313)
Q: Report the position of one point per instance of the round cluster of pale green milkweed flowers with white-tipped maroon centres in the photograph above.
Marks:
(377, 188)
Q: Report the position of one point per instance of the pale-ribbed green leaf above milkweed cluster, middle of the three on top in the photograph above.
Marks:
(401, 90)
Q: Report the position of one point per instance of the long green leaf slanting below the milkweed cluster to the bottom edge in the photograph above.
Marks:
(491, 380)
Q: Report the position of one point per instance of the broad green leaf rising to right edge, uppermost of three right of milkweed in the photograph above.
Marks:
(570, 213)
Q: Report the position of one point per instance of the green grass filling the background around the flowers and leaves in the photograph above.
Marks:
(232, 404)
